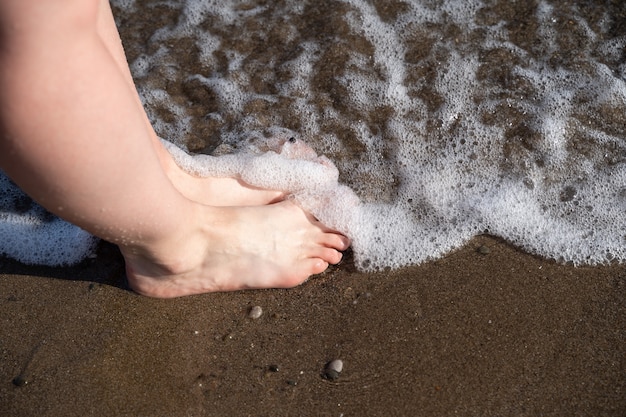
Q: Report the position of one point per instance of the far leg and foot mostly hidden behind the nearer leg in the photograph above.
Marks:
(211, 191)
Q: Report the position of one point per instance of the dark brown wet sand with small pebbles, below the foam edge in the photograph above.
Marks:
(501, 334)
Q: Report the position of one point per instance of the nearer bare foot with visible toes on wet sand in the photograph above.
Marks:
(271, 246)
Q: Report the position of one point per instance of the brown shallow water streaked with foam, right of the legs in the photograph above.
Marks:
(448, 119)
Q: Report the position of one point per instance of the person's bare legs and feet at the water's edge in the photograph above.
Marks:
(74, 136)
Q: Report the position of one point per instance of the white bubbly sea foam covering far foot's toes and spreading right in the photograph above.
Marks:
(425, 191)
